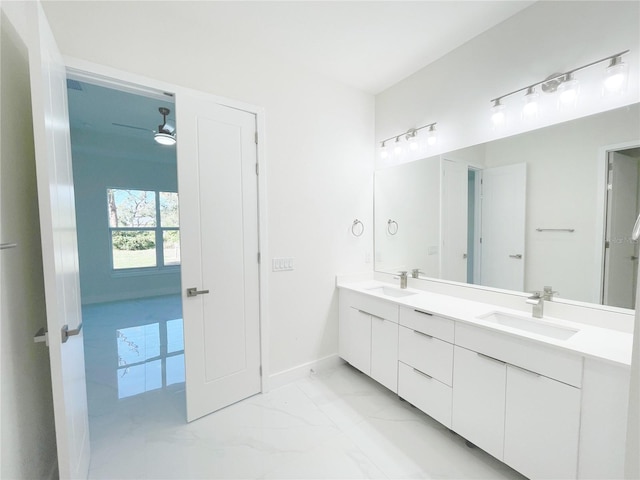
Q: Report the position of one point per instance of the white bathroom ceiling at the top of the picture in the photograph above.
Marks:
(370, 45)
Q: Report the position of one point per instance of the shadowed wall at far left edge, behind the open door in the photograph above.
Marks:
(27, 443)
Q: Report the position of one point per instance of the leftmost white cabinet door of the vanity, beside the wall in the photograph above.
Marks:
(356, 344)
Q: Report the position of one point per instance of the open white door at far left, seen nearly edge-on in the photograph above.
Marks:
(59, 246)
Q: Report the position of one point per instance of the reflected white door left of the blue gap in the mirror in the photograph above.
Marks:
(455, 181)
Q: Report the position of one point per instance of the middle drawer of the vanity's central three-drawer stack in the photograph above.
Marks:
(426, 353)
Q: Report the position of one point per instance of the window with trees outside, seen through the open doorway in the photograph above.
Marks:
(144, 229)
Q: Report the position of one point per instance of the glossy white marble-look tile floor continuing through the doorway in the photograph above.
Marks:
(336, 424)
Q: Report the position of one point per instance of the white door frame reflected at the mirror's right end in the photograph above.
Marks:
(601, 210)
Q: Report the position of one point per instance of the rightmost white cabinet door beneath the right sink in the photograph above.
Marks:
(542, 423)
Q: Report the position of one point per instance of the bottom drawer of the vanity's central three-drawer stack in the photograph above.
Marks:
(426, 393)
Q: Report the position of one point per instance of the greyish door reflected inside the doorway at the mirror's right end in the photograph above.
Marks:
(621, 256)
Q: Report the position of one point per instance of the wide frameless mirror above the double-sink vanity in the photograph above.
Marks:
(564, 209)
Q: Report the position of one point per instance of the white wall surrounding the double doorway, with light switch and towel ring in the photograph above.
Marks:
(319, 150)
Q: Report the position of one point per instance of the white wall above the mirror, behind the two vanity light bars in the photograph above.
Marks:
(547, 37)
